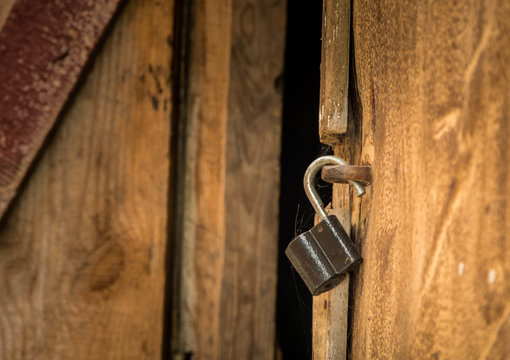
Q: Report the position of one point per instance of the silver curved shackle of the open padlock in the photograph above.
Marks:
(308, 182)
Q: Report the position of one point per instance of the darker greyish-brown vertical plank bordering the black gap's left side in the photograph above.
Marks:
(247, 316)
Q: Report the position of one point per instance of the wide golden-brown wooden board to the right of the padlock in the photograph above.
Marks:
(433, 80)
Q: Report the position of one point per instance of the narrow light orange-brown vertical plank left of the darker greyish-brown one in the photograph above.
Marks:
(210, 163)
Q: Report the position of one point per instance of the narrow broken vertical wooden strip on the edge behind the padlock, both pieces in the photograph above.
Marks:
(330, 310)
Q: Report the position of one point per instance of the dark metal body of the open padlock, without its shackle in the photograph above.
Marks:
(323, 255)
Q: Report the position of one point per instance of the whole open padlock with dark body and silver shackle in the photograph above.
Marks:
(324, 254)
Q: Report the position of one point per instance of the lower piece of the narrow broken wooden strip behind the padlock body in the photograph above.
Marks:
(329, 324)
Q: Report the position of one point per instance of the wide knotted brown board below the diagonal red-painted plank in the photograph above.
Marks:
(82, 253)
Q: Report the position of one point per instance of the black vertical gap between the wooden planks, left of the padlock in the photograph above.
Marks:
(300, 146)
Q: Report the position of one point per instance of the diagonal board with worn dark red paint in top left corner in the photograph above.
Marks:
(44, 46)
